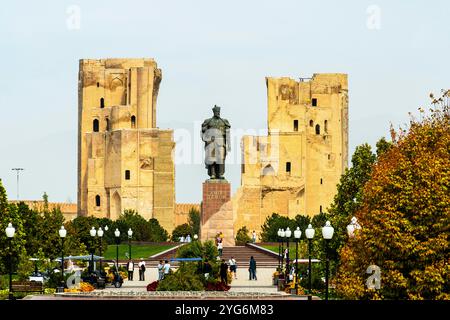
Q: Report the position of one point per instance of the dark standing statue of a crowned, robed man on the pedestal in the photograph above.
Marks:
(216, 135)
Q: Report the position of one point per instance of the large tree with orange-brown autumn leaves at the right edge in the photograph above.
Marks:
(405, 218)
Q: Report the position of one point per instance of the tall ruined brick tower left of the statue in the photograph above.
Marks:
(124, 160)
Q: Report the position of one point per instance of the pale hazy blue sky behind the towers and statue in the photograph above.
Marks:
(211, 52)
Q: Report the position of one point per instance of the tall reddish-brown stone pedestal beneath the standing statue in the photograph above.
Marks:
(217, 211)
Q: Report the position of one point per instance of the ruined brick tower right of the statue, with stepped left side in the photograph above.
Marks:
(295, 169)
